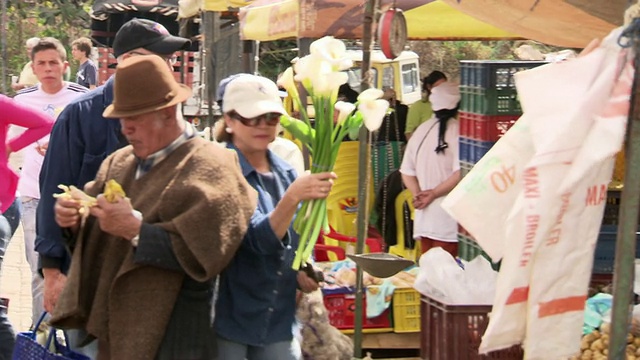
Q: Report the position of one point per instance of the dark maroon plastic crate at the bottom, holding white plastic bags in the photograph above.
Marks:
(454, 332)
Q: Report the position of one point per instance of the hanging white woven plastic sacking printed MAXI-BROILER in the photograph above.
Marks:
(542, 190)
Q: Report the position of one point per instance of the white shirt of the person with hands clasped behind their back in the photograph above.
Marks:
(431, 169)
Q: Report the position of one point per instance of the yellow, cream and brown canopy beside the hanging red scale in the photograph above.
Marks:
(277, 19)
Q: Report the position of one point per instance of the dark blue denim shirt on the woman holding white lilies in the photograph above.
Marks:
(257, 291)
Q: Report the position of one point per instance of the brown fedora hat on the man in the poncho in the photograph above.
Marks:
(144, 84)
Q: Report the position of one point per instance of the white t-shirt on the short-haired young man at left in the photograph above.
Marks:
(52, 104)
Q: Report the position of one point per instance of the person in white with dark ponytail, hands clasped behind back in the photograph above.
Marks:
(431, 168)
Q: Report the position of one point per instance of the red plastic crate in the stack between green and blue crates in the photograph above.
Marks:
(485, 127)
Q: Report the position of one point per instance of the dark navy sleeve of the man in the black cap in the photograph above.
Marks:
(61, 165)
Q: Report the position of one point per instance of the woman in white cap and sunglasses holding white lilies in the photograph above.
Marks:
(255, 310)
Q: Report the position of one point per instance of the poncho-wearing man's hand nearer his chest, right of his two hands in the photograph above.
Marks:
(117, 218)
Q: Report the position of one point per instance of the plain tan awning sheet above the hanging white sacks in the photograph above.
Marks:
(567, 23)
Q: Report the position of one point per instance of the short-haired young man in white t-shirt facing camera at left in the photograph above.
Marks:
(50, 95)
